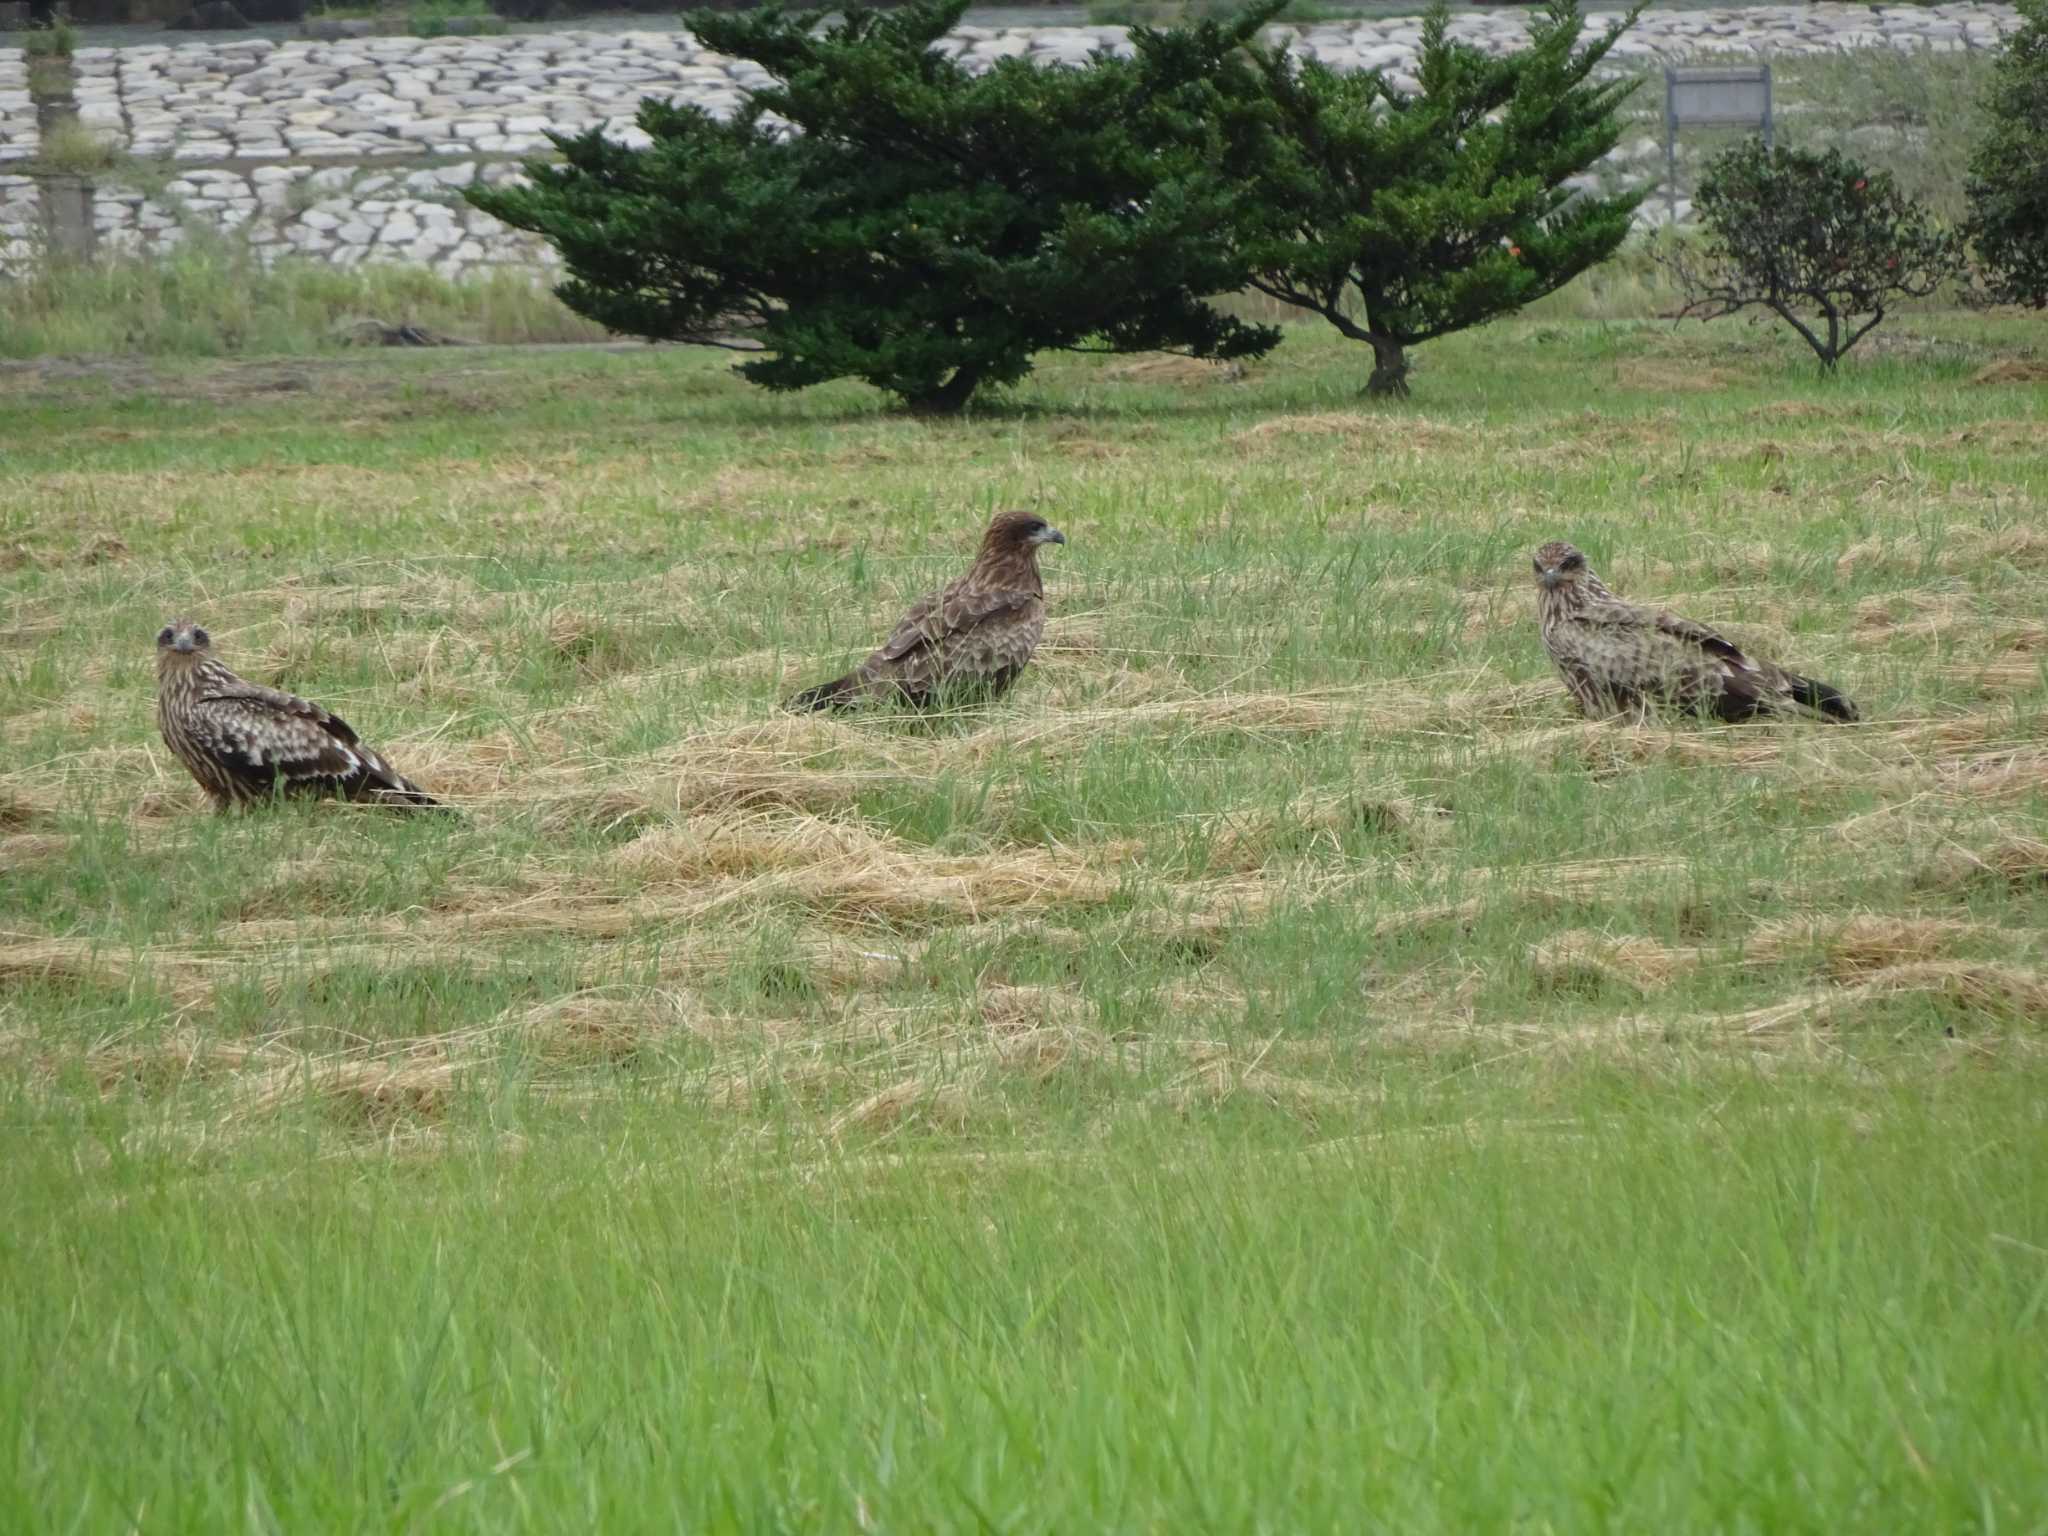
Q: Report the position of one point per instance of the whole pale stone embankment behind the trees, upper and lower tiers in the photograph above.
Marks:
(357, 151)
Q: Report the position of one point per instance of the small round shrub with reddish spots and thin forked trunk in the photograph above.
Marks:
(1816, 239)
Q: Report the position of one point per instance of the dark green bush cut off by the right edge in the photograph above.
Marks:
(2010, 169)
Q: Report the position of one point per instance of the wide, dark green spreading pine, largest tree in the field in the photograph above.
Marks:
(923, 228)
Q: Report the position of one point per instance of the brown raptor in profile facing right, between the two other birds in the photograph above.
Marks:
(966, 642)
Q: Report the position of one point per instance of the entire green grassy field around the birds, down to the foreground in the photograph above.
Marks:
(1277, 1072)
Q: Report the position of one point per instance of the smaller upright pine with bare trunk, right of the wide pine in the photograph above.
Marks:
(1445, 208)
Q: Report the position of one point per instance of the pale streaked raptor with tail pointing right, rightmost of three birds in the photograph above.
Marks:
(1619, 658)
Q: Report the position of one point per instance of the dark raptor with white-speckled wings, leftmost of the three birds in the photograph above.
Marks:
(245, 742)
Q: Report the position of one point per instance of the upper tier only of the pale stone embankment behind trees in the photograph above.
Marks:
(497, 95)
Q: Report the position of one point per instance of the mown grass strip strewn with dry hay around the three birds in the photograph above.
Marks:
(1289, 689)
